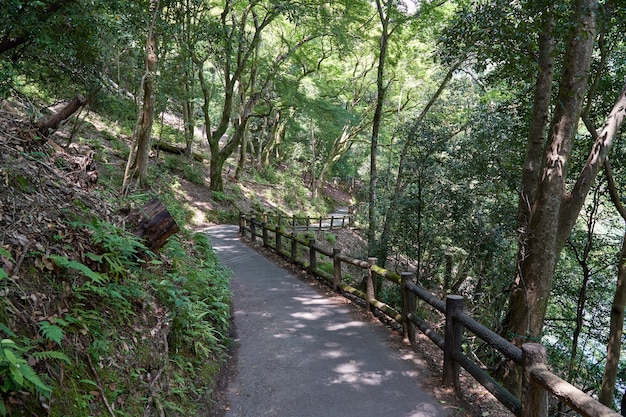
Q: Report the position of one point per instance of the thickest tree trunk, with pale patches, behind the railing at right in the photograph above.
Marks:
(549, 222)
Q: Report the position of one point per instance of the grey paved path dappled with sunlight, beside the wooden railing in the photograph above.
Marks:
(302, 354)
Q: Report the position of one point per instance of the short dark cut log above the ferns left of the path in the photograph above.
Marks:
(156, 224)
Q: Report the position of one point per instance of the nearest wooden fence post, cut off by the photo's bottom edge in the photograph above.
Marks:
(534, 398)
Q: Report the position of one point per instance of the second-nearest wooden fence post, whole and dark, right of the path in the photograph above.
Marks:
(452, 341)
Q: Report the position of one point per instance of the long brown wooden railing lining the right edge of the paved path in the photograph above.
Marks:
(537, 381)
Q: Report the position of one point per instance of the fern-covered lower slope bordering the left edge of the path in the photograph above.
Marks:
(116, 332)
